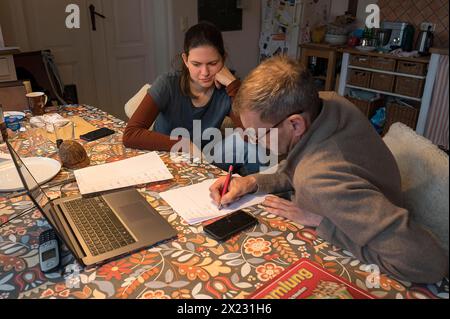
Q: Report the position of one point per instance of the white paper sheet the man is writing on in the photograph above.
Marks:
(194, 204)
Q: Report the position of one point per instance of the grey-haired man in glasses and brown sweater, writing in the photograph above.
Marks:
(345, 180)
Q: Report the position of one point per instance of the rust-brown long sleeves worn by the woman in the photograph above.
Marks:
(137, 134)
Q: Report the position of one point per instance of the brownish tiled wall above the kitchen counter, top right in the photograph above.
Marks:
(418, 11)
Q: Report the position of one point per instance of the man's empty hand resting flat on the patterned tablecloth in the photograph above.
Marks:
(289, 210)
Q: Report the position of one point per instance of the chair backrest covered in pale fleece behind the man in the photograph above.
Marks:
(424, 170)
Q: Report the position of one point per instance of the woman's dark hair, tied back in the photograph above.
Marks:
(201, 34)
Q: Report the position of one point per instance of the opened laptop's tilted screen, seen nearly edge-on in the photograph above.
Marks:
(30, 184)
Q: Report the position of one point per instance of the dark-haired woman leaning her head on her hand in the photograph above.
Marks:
(202, 90)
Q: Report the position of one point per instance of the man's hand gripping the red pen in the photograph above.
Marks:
(238, 187)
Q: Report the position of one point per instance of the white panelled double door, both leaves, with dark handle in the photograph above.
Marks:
(108, 65)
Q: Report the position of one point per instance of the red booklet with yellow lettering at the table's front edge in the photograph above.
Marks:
(306, 280)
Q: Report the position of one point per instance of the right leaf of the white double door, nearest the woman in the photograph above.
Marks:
(123, 52)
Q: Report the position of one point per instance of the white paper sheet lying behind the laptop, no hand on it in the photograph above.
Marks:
(141, 169)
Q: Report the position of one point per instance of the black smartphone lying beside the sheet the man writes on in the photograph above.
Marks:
(230, 225)
